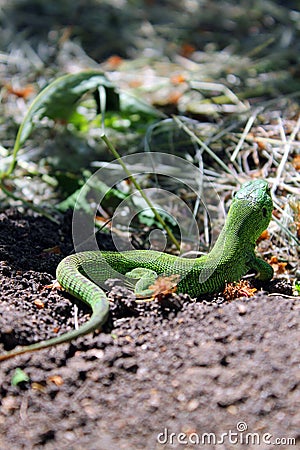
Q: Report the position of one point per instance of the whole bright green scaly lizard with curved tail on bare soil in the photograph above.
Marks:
(231, 257)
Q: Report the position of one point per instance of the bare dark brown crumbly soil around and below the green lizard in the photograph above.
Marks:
(192, 368)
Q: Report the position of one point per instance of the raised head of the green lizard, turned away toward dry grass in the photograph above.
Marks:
(251, 209)
